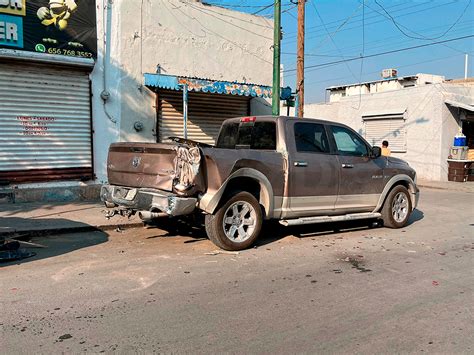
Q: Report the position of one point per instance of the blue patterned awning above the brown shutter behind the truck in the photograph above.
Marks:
(172, 82)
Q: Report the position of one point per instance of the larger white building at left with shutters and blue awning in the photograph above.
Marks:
(57, 127)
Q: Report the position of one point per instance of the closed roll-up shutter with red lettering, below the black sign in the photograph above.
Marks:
(45, 123)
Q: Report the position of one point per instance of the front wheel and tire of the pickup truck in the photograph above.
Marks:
(397, 207)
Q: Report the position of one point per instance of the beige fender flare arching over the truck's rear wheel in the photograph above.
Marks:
(210, 201)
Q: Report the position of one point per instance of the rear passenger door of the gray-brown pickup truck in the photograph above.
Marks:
(313, 170)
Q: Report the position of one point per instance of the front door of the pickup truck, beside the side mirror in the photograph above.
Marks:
(361, 177)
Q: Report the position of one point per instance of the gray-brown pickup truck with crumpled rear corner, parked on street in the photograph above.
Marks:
(297, 171)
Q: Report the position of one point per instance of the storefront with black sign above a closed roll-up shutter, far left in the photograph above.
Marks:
(46, 56)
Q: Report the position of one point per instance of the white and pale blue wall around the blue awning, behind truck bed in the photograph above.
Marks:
(185, 38)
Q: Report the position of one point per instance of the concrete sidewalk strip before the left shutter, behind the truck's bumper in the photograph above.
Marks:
(59, 217)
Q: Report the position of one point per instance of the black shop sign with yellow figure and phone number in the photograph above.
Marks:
(64, 27)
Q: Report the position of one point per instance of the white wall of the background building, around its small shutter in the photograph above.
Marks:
(430, 124)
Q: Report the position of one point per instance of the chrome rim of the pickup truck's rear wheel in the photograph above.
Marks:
(239, 222)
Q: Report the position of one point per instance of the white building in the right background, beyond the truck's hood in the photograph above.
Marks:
(418, 115)
